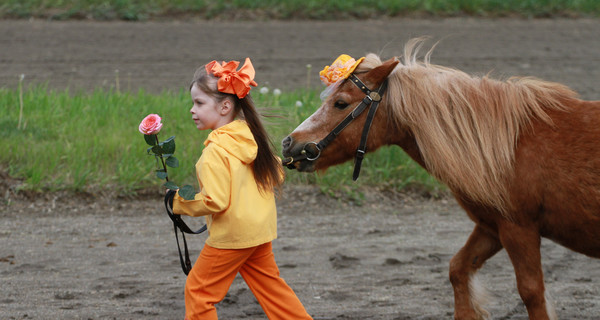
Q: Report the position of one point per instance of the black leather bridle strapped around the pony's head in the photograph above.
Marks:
(372, 99)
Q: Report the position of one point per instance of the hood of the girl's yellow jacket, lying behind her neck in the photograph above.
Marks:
(237, 139)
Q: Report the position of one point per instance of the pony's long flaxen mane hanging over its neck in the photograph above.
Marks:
(467, 127)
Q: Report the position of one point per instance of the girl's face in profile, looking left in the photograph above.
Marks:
(206, 112)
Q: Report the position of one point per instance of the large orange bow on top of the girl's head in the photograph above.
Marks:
(231, 81)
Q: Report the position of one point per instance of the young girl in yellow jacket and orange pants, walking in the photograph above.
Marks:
(237, 174)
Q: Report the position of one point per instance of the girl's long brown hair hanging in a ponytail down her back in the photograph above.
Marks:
(267, 168)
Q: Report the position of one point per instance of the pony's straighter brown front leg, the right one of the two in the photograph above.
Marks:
(522, 243)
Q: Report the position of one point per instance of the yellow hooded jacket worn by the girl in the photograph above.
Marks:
(238, 215)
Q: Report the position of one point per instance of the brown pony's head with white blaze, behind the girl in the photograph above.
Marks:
(302, 148)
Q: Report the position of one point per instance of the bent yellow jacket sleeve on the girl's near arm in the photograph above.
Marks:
(214, 178)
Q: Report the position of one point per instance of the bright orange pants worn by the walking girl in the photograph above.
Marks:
(214, 271)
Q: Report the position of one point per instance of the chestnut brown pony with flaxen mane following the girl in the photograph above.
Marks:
(521, 156)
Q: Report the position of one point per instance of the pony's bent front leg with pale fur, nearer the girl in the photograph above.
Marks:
(480, 246)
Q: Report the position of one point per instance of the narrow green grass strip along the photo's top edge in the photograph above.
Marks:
(290, 9)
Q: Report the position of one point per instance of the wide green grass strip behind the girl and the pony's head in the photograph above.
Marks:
(89, 141)
